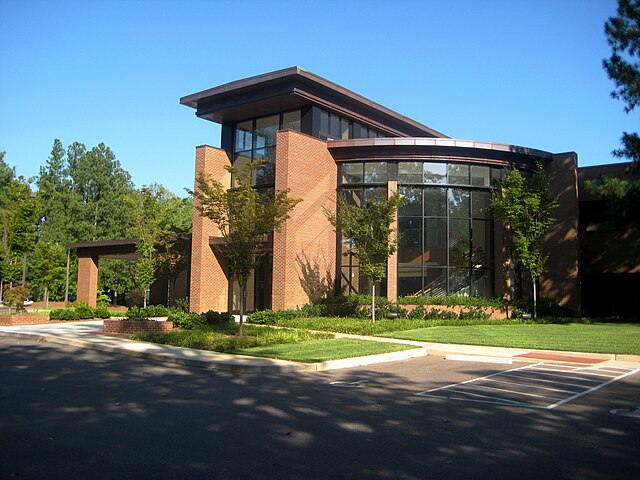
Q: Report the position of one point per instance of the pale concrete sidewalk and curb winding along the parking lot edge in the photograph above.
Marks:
(89, 335)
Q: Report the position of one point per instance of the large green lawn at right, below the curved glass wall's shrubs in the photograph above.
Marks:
(595, 338)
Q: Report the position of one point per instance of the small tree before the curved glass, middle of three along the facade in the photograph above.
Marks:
(368, 226)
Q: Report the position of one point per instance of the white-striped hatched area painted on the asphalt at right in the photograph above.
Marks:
(535, 386)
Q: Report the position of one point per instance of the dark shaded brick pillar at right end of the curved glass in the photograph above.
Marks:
(562, 280)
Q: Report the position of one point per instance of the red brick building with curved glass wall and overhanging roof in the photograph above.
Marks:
(319, 140)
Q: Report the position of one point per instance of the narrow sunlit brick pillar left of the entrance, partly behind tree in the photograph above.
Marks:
(209, 285)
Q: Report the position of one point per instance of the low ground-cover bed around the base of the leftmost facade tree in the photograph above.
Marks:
(209, 338)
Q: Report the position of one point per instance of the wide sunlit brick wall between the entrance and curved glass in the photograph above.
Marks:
(304, 251)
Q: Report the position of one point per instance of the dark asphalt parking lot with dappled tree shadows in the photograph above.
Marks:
(73, 413)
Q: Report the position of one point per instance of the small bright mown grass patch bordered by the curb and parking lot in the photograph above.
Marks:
(324, 350)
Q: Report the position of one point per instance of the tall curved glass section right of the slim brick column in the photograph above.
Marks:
(445, 229)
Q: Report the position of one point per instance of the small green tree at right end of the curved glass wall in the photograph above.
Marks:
(525, 207)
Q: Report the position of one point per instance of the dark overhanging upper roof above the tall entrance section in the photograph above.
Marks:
(292, 87)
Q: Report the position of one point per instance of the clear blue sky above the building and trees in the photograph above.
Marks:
(514, 71)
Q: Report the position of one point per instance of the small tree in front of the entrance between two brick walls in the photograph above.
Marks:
(245, 216)
